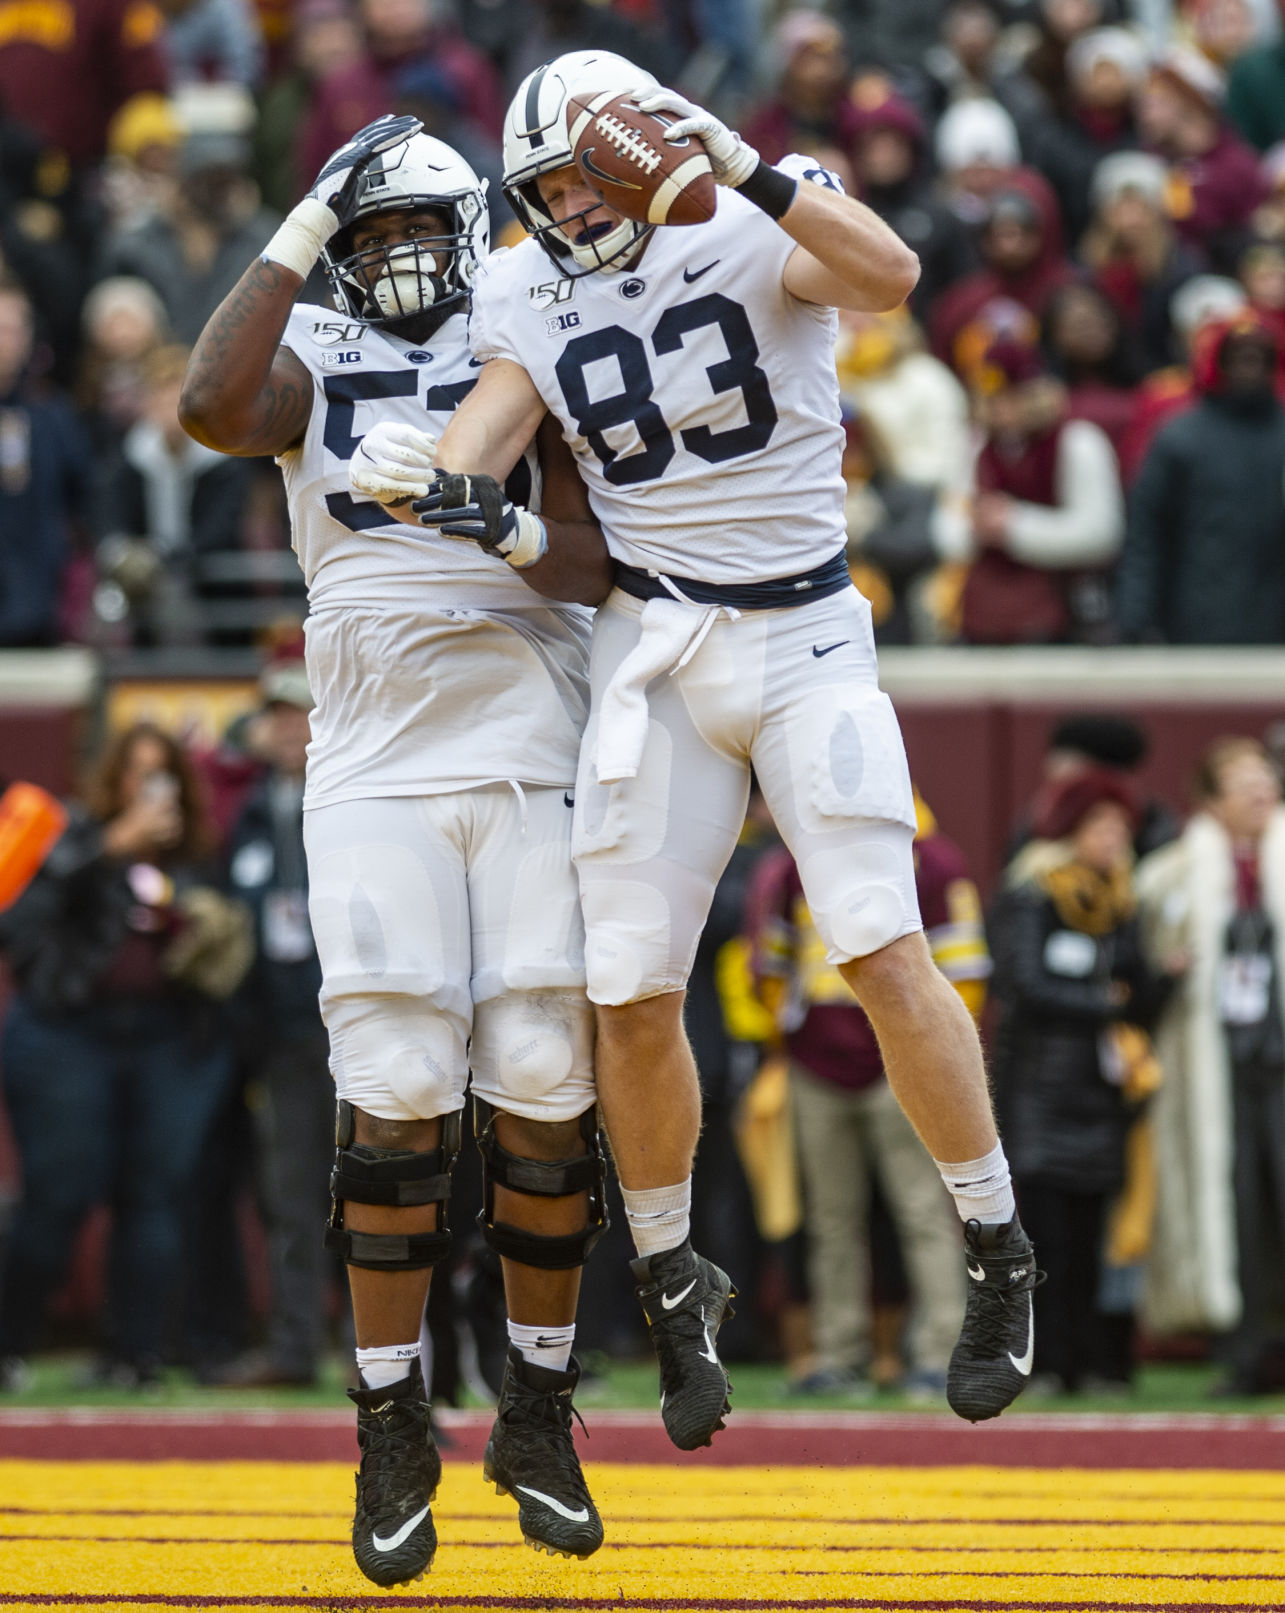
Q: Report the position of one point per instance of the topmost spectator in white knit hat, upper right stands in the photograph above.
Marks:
(1105, 70)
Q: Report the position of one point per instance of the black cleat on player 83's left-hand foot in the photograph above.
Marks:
(688, 1301)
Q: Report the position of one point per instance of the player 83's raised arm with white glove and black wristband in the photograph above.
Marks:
(847, 259)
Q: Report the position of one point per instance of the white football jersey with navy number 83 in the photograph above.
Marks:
(697, 394)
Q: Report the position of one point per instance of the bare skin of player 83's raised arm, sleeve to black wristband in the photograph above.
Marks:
(850, 257)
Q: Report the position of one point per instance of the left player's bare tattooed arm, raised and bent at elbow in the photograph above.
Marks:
(244, 393)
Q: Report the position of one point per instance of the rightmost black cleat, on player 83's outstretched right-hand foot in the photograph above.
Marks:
(991, 1364)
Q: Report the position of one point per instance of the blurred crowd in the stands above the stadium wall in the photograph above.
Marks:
(1075, 433)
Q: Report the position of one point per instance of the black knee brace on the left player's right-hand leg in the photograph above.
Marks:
(544, 1180)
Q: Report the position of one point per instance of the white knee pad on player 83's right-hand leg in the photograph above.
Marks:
(862, 896)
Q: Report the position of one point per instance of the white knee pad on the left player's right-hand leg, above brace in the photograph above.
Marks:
(533, 1054)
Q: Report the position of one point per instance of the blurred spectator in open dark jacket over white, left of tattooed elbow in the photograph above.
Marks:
(164, 504)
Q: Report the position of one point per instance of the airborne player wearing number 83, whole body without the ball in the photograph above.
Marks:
(692, 373)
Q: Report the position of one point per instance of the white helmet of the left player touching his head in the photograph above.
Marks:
(385, 285)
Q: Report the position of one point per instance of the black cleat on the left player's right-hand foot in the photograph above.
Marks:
(531, 1456)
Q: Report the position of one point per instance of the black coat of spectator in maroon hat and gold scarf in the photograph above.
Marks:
(1062, 1120)
